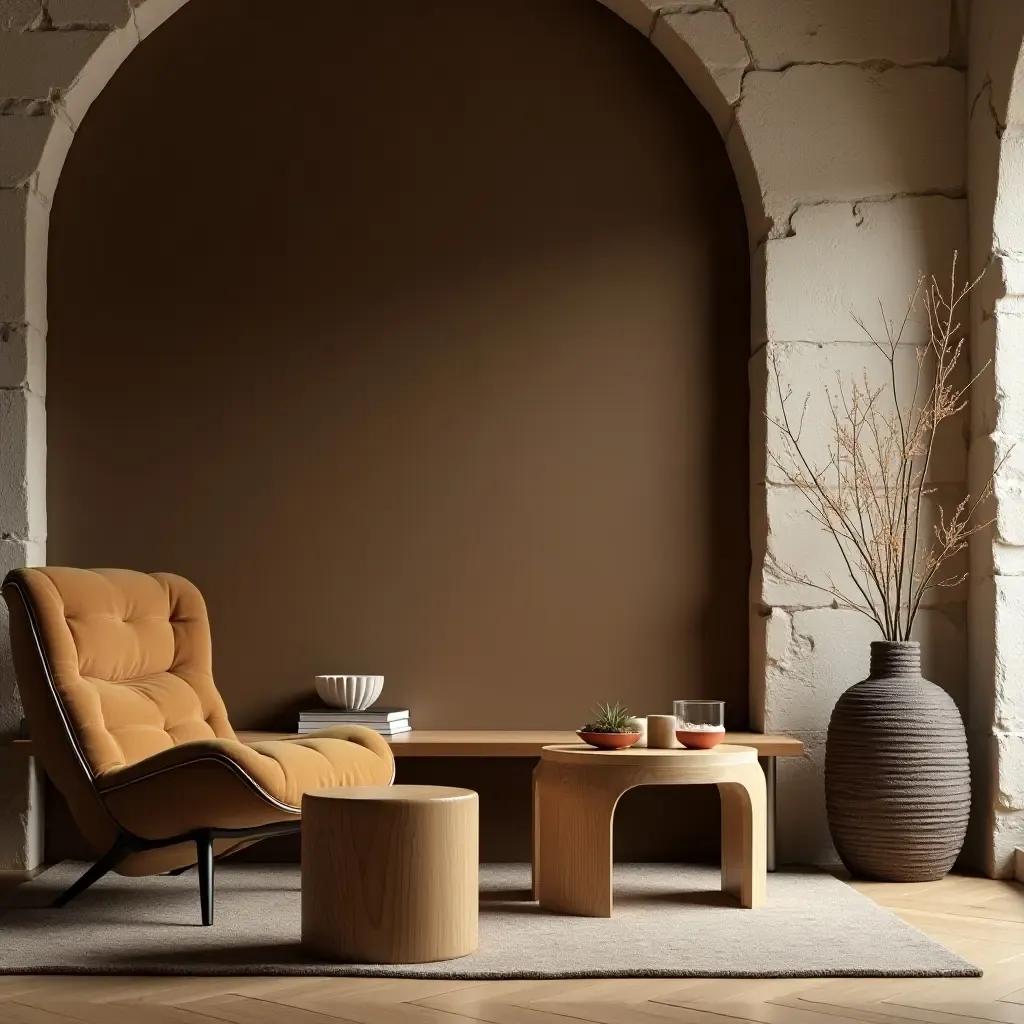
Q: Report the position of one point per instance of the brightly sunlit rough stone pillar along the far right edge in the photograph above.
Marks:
(997, 636)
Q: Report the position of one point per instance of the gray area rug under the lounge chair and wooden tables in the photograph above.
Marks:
(670, 922)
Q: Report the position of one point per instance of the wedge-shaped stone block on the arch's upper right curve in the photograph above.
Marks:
(710, 57)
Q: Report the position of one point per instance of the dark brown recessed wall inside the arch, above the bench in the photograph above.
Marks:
(417, 337)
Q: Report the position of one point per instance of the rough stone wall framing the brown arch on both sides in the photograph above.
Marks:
(845, 123)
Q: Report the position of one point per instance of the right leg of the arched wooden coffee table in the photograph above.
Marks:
(744, 835)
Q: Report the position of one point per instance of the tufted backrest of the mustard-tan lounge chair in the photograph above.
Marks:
(130, 663)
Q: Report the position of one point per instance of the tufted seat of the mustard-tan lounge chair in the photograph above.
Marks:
(223, 784)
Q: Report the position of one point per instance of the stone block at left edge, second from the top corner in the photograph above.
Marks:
(35, 64)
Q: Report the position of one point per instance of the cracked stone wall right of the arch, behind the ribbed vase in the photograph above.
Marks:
(845, 123)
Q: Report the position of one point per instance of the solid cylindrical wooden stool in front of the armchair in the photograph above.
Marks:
(391, 874)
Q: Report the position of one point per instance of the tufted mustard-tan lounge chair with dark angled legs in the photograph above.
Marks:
(115, 672)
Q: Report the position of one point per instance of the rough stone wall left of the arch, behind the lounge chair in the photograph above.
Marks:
(55, 59)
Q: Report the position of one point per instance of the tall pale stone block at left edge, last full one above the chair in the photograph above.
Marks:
(23, 465)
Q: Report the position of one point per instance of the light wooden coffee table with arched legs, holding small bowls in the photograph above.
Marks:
(577, 788)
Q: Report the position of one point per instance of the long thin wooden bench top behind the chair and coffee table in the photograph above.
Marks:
(505, 744)
